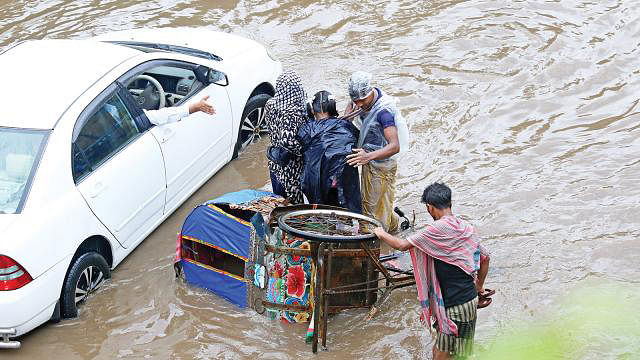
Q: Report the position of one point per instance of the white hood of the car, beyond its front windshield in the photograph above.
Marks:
(224, 45)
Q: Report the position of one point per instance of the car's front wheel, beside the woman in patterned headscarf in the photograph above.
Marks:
(252, 124)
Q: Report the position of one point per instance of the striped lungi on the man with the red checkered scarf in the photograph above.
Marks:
(464, 315)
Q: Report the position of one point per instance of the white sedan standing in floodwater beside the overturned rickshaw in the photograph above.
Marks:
(84, 175)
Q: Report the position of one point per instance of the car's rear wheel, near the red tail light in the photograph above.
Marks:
(86, 275)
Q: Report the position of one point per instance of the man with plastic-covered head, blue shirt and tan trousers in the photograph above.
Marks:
(383, 134)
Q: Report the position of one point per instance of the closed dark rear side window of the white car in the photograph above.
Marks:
(106, 131)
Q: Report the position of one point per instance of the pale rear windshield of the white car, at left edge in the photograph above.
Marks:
(19, 153)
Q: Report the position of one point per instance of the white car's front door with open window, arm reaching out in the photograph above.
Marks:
(199, 144)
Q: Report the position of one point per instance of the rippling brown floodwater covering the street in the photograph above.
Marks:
(529, 110)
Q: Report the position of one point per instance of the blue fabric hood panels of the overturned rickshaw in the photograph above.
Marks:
(211, 225)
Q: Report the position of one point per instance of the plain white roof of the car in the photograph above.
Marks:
(42, 78)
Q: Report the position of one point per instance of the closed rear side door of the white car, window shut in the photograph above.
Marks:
(118, 167)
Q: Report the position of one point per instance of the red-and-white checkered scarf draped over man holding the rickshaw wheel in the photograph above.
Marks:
(450, 240)
